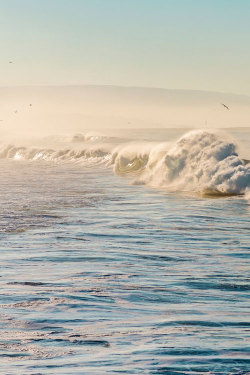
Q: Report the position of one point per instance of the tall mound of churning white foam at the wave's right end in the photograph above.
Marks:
(199, 161)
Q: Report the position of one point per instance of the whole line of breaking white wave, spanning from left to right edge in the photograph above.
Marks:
(200, 161)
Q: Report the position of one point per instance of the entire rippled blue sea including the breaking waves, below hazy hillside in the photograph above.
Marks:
(125, 252)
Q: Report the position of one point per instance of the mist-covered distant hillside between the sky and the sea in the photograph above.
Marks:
(69, 108)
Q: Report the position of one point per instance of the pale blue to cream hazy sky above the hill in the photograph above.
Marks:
(190, 44)
